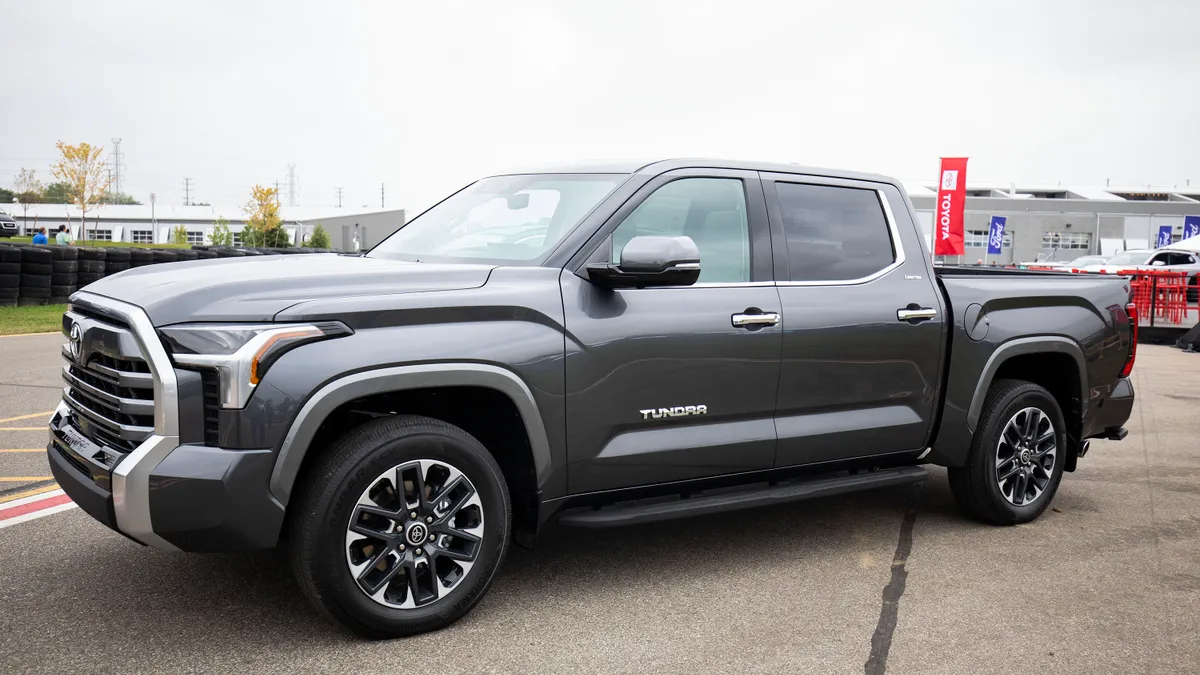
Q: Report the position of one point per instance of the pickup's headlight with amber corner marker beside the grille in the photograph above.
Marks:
(242, 354)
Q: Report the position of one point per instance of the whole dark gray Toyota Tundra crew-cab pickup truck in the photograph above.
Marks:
(601, 345)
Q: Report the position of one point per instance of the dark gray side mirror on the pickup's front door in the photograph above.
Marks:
(651, 261)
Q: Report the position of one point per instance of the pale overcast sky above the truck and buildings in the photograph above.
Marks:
(427, 97)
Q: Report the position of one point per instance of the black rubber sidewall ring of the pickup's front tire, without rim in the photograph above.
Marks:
(335, 512)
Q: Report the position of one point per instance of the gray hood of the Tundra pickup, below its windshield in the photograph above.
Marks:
(256, 289)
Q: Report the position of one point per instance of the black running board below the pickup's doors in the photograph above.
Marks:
(745, 498)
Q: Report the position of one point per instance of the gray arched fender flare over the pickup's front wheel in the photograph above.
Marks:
(344, 390)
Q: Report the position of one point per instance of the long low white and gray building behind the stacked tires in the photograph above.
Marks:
(146, 224)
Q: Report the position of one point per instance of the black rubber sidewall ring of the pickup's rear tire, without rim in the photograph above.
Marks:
(1022, 399)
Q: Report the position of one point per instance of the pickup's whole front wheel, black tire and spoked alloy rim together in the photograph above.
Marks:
(401, 528)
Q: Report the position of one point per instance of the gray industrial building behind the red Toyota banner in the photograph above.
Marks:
(1058, 223)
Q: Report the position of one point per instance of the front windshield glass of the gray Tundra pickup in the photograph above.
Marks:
(507, 218)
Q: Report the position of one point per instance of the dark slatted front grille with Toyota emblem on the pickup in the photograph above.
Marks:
(111, 395)
